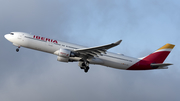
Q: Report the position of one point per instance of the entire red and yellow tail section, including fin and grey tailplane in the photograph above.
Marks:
(154, 60)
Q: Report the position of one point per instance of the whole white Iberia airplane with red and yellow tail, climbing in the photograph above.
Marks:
(68, 52)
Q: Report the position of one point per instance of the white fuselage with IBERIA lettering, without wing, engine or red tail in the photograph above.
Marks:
(113, 60)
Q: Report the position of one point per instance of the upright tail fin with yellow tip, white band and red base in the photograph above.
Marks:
(159, 55)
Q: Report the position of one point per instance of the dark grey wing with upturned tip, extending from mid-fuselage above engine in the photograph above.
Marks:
(96, 51)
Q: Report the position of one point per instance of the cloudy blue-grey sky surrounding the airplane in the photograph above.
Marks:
(143, 25)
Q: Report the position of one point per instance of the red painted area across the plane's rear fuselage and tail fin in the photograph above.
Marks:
(144, 64)
